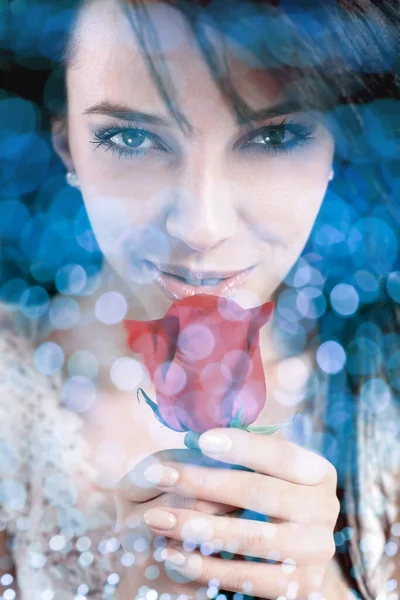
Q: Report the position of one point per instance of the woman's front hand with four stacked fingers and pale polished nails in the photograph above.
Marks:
(293, 485)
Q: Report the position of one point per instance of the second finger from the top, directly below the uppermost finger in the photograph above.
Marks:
(256, 492)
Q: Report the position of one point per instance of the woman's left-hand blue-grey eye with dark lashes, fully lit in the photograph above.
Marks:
(128, 141)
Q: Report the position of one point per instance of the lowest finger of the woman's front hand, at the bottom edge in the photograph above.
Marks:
(247, 577)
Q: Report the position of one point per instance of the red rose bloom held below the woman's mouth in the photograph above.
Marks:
(204, 359)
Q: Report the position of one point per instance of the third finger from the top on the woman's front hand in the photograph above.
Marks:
(302, 544)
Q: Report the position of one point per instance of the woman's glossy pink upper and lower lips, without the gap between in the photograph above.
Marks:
(177, 289)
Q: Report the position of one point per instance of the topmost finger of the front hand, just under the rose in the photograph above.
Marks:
(267, 454)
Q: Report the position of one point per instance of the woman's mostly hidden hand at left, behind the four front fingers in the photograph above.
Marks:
(134, 496)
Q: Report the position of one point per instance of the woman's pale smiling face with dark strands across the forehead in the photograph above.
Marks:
(213, 196)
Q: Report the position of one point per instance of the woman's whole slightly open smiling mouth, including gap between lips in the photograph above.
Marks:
(178, 282)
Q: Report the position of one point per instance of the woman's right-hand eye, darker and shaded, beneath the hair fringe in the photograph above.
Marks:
(281, 138)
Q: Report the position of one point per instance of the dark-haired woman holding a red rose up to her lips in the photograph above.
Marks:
(215, 138)
